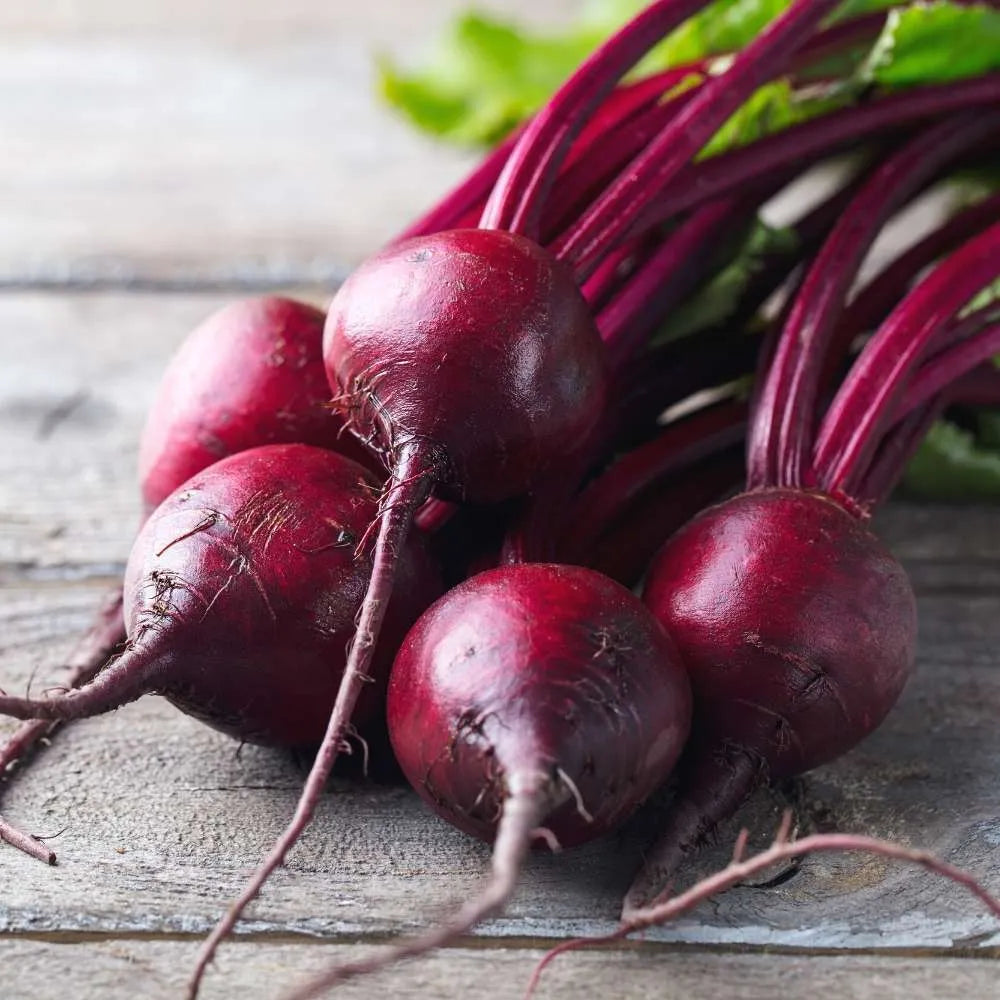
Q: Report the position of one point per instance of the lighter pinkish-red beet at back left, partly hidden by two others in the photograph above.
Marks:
(251, 374)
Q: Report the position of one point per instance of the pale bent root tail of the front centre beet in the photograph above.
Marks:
(532, 794)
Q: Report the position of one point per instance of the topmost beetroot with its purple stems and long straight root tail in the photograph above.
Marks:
(468, 359)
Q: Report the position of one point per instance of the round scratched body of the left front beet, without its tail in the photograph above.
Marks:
(250, 572)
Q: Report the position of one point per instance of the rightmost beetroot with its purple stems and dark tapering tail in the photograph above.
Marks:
(797, 626)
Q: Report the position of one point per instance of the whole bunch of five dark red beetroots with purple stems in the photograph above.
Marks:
(504, 402)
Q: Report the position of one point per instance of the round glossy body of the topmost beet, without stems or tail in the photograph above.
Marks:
(478, 344)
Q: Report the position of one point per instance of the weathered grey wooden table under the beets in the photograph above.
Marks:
(153, 163)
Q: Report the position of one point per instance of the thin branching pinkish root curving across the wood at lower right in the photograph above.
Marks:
(783, 848)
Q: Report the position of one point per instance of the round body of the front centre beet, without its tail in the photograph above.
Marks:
(537, 666)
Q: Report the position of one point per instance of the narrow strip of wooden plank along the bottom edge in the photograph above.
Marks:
(155, 970)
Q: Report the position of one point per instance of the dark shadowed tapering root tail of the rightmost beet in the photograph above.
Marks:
(715, 784)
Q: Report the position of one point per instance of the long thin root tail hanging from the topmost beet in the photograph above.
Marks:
(412, 479)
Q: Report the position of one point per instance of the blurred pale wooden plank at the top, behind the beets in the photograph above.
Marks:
(243, 145)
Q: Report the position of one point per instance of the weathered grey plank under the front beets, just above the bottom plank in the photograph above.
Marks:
(162, 821)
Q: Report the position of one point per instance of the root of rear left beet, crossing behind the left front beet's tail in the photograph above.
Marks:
(88, 657)
